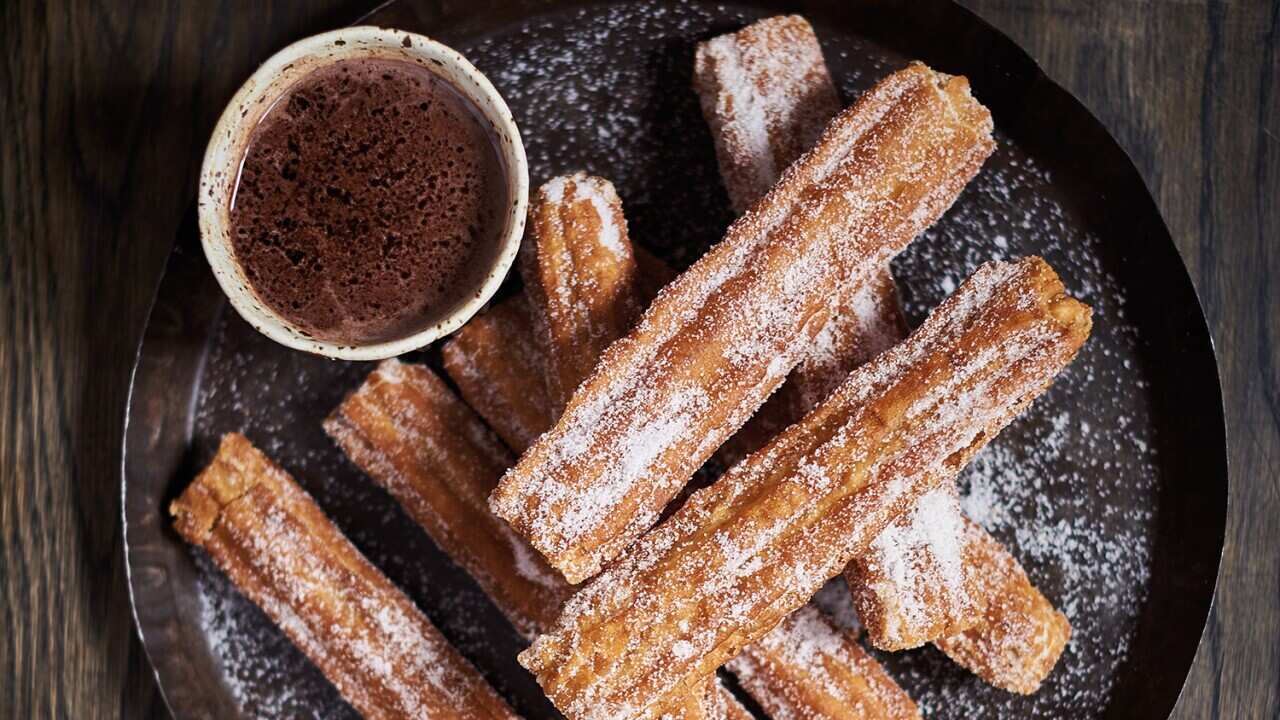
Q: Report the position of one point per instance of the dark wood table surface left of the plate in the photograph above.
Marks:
(106, 115)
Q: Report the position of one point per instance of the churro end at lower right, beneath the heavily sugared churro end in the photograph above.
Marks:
(1021, 635)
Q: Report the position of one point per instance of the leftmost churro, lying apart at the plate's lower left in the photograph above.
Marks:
(272, 540)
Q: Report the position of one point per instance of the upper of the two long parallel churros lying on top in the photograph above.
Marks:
(721, 338)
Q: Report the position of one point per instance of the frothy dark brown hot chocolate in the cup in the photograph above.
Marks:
(371, 195)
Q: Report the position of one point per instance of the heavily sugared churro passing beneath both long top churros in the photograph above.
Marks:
(762, 90)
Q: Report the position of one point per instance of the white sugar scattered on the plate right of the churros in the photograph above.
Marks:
(1069, 487)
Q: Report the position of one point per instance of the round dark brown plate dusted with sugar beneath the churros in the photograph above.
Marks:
(1112, 490)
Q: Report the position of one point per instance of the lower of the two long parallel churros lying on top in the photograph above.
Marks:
(740, 555)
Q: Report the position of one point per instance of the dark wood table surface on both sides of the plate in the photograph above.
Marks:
(106, 115)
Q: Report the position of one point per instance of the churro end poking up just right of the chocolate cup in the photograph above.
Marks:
(580, 277)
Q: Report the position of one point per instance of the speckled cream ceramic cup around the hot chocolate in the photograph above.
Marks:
(255, 98)
